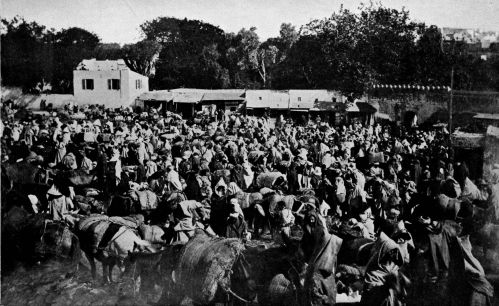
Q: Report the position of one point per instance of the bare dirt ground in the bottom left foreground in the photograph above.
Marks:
(53, 283)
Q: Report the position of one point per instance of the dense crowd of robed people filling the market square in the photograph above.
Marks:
(363, 181)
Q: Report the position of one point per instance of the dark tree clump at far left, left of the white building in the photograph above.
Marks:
(33, 56)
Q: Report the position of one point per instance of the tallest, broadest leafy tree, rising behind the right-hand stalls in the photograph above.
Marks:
(365, 48)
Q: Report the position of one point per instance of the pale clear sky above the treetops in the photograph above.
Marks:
(119, 20)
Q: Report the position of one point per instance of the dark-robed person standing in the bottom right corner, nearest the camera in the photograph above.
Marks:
(446, 272)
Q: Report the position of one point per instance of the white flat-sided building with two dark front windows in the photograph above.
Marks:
(110, 83)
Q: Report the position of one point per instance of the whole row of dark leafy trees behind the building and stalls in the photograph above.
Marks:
(348, 51)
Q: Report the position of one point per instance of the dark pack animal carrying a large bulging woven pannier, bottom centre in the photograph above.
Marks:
(213, 269)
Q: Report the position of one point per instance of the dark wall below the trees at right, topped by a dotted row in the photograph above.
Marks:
(432, 106)
